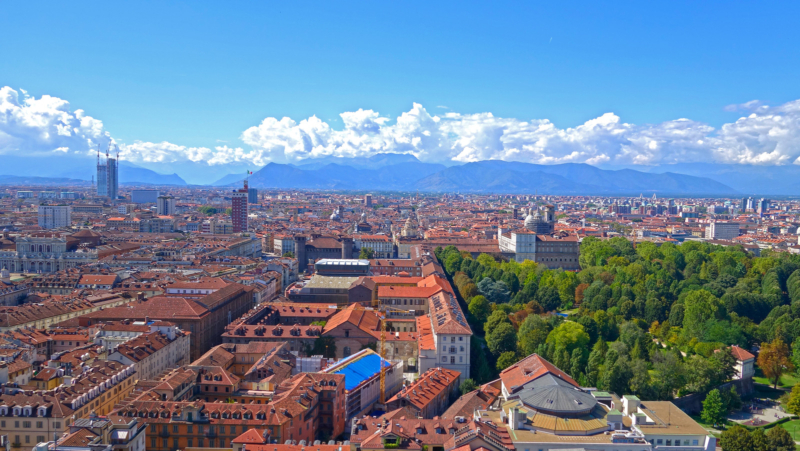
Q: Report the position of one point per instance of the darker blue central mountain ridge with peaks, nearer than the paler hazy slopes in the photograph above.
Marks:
(491, 176)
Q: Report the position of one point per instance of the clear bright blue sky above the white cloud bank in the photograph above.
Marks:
(200, 73)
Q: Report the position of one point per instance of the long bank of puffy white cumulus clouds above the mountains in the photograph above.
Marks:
(767, 135)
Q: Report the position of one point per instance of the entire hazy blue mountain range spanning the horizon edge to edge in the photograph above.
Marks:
(400, 172)
